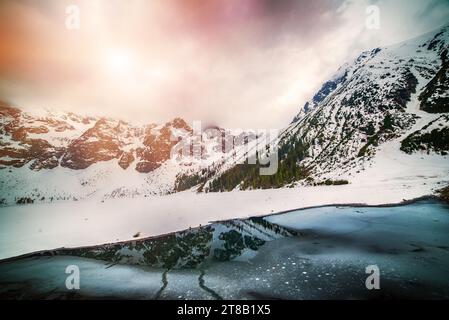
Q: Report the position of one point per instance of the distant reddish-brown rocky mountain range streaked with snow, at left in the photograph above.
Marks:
(47, 156)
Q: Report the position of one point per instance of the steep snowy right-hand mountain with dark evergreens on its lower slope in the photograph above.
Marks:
(389, 102)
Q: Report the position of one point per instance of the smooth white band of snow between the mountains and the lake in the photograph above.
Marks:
(31, 228)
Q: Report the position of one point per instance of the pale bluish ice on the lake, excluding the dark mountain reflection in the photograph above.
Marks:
(327, 259)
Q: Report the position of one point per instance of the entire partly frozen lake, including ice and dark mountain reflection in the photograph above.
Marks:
(317, 253)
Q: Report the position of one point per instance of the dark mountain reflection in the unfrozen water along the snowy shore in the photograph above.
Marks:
(220, 241)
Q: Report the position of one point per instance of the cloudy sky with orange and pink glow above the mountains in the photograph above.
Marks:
(234, 63)
